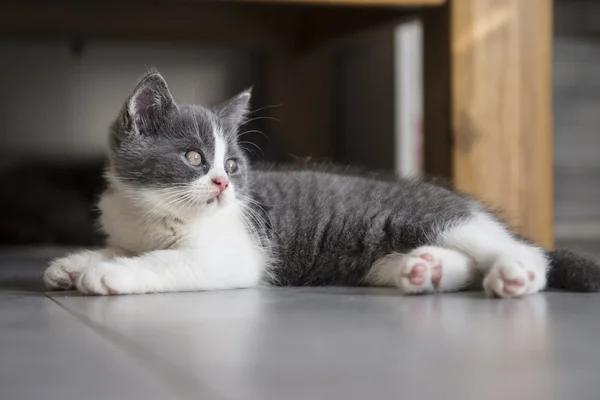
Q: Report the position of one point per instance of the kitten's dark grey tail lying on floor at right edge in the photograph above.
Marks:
(572, 271)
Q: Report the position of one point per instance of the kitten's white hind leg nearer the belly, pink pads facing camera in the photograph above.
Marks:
(427, 269)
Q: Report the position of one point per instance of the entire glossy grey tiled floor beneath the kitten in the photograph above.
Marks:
(288, 344)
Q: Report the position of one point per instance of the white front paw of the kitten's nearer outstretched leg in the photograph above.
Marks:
(109, 278)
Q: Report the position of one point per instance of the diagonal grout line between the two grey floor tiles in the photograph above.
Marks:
(183, 385)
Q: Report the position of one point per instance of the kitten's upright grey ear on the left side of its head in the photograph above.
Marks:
(149, 104)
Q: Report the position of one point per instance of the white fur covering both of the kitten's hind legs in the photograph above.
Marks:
(480, 246)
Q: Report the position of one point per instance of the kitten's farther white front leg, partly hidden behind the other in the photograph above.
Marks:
(63, 272)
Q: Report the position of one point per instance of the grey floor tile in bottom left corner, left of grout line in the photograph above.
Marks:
(46, 353)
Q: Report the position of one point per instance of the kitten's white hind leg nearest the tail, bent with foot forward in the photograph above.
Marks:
(511, 267)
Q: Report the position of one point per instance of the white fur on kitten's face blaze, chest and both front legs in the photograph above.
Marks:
(160, 243)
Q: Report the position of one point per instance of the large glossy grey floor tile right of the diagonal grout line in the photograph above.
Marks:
(285, 343)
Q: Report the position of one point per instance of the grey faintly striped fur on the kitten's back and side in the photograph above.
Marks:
(329, 227)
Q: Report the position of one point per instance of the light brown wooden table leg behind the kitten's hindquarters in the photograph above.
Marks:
(490, 108)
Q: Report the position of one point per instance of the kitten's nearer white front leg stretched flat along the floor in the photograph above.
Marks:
(174, 271)
